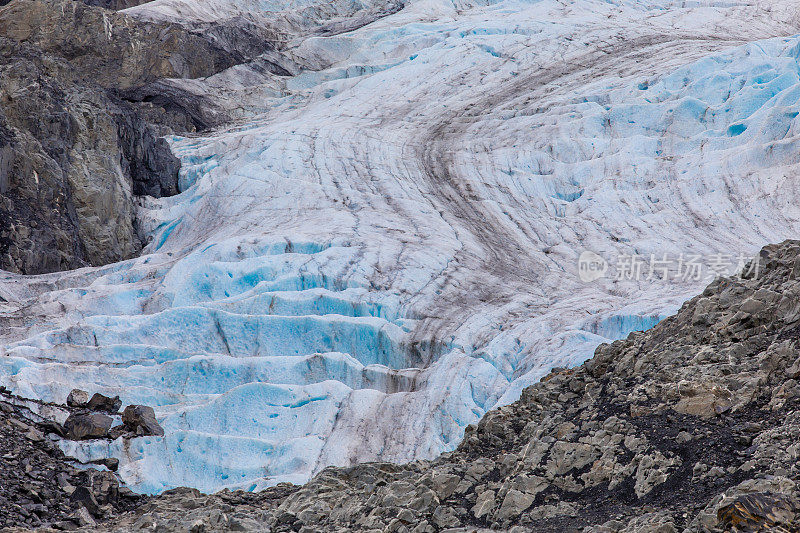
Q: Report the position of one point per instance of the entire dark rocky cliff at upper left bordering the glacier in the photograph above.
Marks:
(76, 143)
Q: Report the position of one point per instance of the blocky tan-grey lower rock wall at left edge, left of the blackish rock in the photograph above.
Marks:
(67, 199)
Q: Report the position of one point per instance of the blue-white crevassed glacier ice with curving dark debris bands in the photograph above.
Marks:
(386, 244)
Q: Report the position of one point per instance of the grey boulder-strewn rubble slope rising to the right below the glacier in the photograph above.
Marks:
(691, 426)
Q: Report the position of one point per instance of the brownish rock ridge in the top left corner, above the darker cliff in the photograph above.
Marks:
(110, 49)
